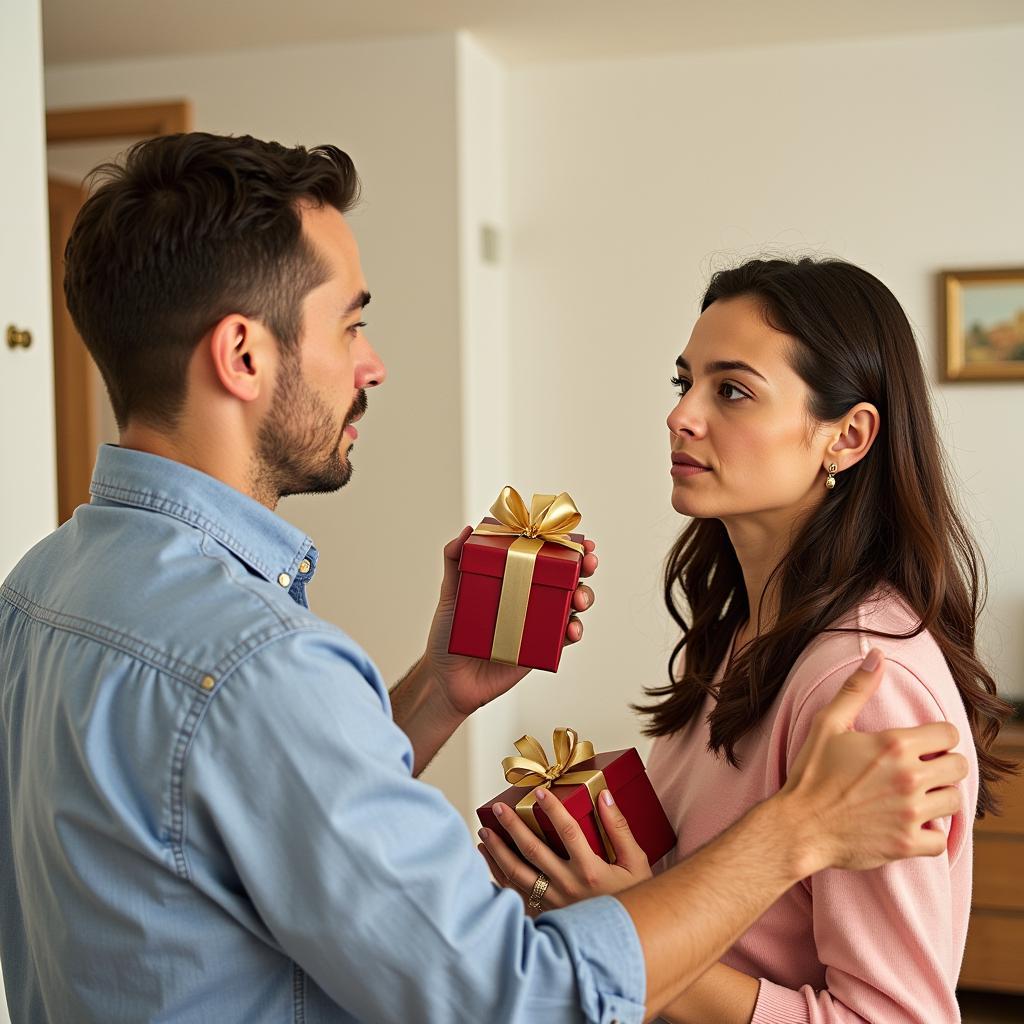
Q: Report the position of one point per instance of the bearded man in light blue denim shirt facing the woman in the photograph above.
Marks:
(209, 807)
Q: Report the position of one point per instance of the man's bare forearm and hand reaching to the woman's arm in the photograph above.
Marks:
(852, 800)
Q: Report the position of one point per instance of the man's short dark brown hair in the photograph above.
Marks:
(187, 231)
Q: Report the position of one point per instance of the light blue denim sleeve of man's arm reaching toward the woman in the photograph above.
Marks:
(307, 826)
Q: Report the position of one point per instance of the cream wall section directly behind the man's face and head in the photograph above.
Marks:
(392, 105)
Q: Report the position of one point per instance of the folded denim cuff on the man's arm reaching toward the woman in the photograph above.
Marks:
(603, 942)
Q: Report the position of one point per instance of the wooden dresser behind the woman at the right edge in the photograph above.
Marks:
(995, 958)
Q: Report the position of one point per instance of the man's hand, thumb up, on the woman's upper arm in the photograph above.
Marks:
(863, 799)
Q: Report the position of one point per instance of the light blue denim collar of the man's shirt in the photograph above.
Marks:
(270, 546)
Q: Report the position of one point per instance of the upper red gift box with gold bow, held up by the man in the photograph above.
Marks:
(482, 581)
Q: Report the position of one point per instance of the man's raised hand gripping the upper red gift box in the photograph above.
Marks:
(468, 684)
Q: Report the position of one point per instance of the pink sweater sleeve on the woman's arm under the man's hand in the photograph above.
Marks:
(891, 940)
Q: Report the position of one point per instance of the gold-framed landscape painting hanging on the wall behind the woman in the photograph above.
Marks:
(984, 324)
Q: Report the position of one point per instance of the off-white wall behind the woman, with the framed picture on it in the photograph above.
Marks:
(631, 181)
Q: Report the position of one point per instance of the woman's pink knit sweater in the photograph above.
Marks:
(882, 947)
